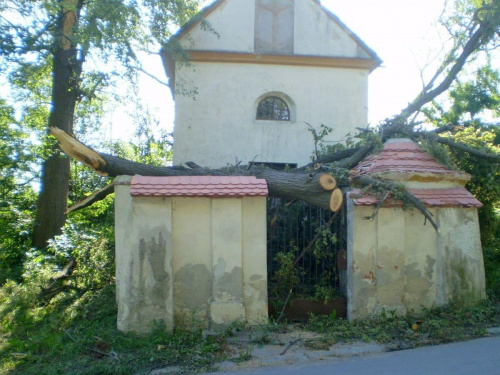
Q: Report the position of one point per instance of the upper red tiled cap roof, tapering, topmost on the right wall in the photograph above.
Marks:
(401, 155)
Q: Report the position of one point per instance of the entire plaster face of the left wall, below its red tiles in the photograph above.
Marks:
(176, 257)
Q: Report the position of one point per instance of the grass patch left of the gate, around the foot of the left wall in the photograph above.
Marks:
(77, 335)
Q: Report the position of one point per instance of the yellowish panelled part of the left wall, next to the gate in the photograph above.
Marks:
(220, 260)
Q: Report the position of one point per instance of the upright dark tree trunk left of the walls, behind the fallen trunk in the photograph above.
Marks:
(53, 197)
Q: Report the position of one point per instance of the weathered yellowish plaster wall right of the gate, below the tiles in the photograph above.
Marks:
(396, 263)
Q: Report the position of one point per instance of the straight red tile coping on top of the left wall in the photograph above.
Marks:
(198, 186)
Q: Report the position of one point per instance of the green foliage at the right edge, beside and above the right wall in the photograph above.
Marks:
(474, 104)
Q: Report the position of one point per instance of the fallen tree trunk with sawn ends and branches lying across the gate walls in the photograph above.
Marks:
(312, 186)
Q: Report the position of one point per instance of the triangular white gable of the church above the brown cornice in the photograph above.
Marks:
(280, 27)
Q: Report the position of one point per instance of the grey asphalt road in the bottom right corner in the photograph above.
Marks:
(475, 357)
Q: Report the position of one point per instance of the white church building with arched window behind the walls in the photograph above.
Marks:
(258, 72)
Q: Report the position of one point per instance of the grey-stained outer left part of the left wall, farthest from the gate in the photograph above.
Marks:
(143, 261)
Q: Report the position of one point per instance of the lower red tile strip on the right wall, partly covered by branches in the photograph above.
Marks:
(454, 197)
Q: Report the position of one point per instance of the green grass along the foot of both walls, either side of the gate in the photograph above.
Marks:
(76, 334)
